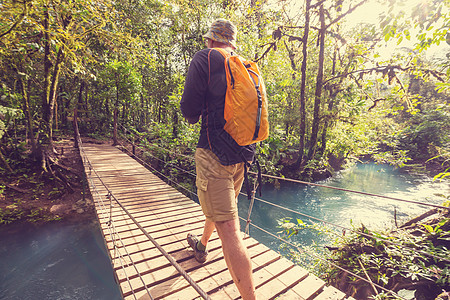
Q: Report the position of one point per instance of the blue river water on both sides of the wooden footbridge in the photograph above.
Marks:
(67, 261)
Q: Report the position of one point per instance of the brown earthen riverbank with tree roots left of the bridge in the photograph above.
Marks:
(29, 196)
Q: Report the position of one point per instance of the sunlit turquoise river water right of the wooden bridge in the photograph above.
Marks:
(344, 208)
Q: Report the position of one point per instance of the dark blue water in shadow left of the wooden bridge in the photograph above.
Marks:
(55, 261)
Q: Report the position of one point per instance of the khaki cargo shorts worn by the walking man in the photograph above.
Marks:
(218, 186)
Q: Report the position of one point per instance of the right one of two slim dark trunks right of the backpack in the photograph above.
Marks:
(318, 92)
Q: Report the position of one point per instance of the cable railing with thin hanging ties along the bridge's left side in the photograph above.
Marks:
(202, 293)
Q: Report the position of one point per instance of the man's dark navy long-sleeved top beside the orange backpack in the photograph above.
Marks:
(204, 94)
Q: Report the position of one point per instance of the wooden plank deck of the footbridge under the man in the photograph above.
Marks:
(166, 216)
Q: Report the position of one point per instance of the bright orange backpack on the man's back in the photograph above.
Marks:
(245, 110)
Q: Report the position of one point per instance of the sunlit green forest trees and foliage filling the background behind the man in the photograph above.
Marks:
(332, 96)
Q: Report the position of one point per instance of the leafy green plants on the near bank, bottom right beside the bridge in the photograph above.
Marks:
(410, 260)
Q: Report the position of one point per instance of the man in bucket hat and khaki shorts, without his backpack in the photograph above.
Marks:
(219, 159)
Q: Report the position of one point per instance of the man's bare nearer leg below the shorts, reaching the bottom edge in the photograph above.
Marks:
(236, 257)
